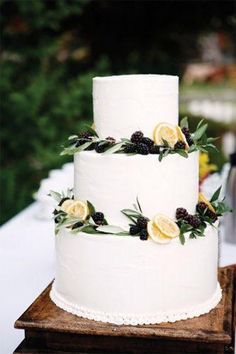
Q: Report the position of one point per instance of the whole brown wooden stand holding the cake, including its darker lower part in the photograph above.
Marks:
(48, 329)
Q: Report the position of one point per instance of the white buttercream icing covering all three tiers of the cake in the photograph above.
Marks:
(121, 279)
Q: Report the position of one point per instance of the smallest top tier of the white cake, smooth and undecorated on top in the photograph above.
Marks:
(127, 103)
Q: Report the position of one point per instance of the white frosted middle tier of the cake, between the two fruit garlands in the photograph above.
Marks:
(113, 182)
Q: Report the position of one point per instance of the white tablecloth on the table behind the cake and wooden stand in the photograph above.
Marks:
(27, 266)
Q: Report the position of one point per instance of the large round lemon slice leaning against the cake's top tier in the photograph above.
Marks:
(165, 131)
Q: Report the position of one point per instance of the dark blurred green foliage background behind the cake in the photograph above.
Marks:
(50, 50)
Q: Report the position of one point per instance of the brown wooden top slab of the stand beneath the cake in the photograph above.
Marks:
(216, 326)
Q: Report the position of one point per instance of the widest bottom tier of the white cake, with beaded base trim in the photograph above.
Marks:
(124, 280)
